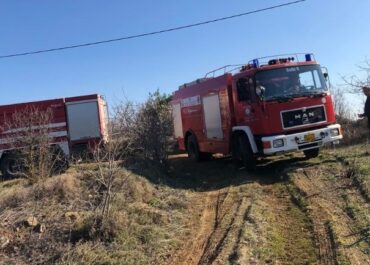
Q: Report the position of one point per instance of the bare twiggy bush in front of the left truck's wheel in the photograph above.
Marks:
(31, 154)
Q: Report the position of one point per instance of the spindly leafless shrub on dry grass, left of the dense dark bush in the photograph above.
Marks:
(105, 182)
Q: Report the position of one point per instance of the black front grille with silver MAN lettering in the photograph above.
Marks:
(304, 116)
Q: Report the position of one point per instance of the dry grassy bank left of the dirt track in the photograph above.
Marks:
(143, 228)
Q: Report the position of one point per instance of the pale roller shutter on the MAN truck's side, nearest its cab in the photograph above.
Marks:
(212, 117)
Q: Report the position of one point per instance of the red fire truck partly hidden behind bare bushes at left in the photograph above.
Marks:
(77, 124)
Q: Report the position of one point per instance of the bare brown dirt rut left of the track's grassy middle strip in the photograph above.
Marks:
(221, 210)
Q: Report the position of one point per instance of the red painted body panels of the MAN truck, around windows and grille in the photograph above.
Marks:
(264, 119)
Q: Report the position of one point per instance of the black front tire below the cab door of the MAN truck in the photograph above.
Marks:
(244, 152)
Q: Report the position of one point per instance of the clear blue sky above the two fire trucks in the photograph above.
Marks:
(337, 31)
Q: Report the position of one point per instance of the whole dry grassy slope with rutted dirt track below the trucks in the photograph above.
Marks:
(290, 211)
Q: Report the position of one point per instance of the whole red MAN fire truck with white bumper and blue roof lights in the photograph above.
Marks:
(269, 106)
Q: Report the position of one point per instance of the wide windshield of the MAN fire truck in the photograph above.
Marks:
(291, 82)
